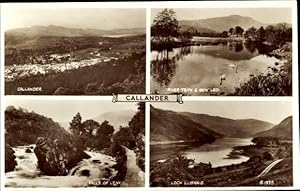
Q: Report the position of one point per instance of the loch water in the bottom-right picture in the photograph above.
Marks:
(216, 153)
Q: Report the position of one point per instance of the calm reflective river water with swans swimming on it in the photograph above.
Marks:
(200, 67)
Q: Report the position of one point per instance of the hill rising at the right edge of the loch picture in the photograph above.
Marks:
(282, 130)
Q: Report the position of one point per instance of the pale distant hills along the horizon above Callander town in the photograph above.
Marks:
(59, 31)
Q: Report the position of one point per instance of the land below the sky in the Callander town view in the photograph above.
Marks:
(52, 57)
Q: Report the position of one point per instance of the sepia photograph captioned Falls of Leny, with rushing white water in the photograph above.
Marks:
(74, 144)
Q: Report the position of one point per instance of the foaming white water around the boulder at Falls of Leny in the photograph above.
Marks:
(99, 167)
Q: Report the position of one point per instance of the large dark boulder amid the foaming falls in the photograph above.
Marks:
(57, 157)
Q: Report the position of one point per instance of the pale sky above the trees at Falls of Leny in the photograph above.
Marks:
(65, 110)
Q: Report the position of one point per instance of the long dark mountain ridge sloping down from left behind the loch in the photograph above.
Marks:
(169, 125)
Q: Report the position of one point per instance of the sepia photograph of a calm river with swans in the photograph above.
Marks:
(221, 51)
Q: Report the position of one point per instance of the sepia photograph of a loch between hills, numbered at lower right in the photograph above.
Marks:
(221, 143)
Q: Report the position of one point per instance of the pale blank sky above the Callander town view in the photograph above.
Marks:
(95, 18)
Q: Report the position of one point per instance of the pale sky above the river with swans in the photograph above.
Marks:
(264, 15)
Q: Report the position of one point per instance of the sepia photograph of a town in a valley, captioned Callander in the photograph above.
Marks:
(74, 51)
